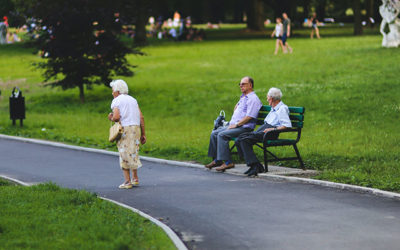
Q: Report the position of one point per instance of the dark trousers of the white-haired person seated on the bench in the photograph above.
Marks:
(245, 142)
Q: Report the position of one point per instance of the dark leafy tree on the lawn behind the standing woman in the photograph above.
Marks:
(80, 42)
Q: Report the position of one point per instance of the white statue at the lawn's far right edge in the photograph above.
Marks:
(390, 10)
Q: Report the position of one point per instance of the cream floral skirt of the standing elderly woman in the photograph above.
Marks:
(128, 148)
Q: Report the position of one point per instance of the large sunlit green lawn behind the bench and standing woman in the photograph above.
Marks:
(349, 86)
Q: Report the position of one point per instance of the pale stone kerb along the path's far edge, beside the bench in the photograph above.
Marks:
(354, 188)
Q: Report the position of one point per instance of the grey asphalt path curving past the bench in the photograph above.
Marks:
(210, 210)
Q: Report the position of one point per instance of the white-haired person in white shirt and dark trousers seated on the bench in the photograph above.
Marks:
(277, 119)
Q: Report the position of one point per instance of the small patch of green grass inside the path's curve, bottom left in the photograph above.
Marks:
(49, 217)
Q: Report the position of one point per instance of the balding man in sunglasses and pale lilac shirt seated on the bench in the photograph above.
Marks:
(243, 120)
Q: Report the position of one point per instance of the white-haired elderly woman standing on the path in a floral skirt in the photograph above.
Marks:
(126, 110)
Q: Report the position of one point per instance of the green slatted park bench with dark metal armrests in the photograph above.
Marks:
(296, 115)
